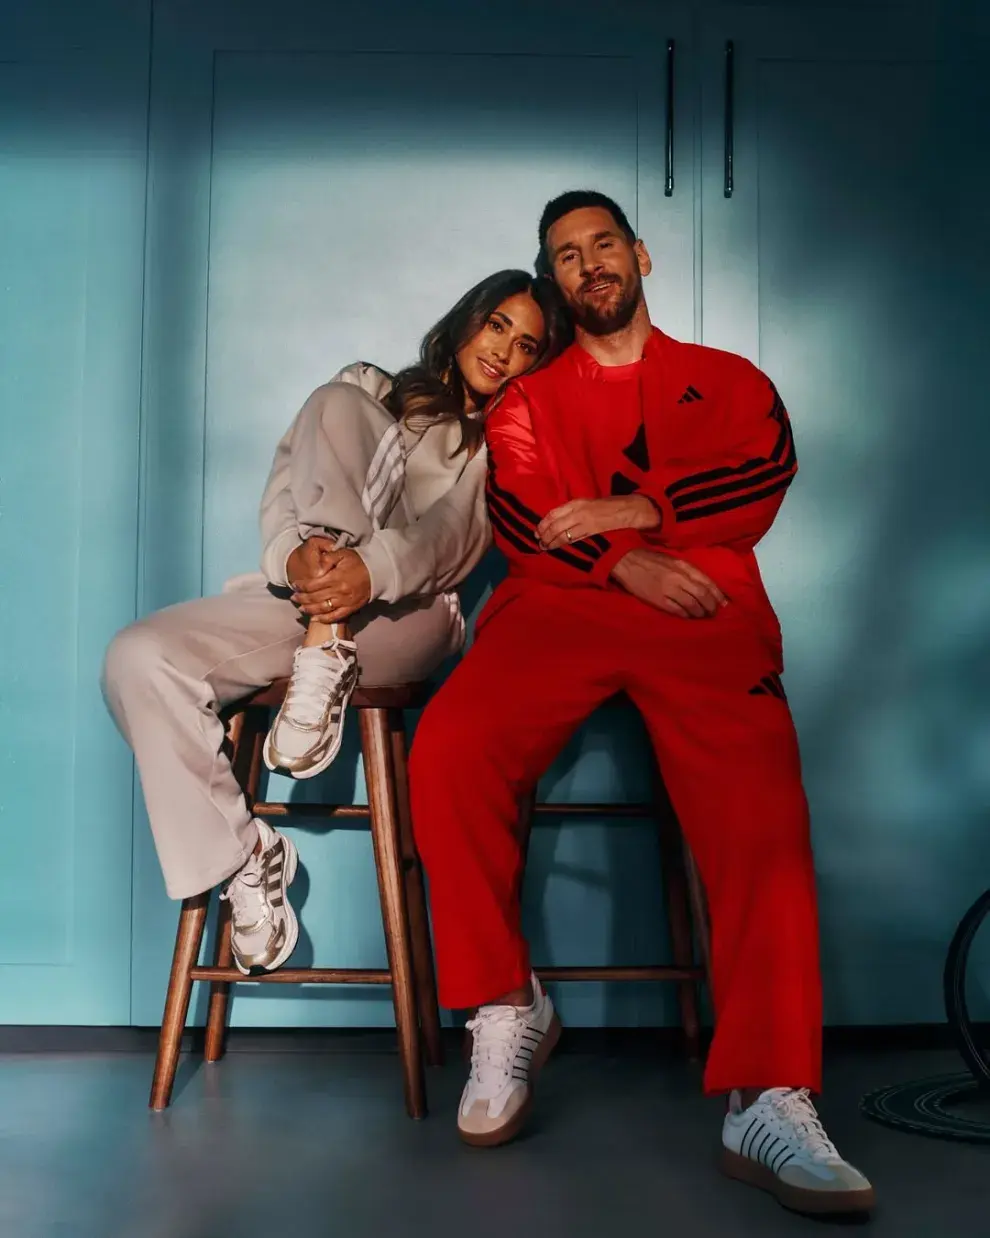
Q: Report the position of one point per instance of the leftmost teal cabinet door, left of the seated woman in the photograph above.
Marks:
(72, 191)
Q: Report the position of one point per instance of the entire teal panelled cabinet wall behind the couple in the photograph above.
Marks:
(205, 216)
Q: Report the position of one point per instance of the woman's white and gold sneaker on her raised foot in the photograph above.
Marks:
(308, 731)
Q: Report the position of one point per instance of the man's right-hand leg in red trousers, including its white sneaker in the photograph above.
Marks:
(730, 757)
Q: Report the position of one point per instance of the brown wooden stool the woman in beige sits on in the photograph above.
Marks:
(400, 887)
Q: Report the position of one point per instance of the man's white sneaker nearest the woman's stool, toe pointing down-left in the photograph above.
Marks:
(510, 1045)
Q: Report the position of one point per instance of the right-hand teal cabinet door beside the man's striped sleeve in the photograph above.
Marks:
(827, 267)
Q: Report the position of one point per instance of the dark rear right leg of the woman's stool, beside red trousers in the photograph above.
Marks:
(423, 949)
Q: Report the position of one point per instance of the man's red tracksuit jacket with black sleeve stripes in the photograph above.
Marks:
(700, 431)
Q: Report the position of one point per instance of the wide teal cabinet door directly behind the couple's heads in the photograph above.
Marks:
(322, 193)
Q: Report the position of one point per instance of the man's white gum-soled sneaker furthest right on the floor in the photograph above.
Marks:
(779, 1145)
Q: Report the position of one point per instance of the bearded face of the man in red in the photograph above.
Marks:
(597, 269)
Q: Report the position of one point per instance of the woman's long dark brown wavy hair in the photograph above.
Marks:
(434, 389)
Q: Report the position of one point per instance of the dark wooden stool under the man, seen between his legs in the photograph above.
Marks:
(687, 912)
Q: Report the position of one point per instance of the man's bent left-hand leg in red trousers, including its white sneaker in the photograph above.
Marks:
(536, 670)
